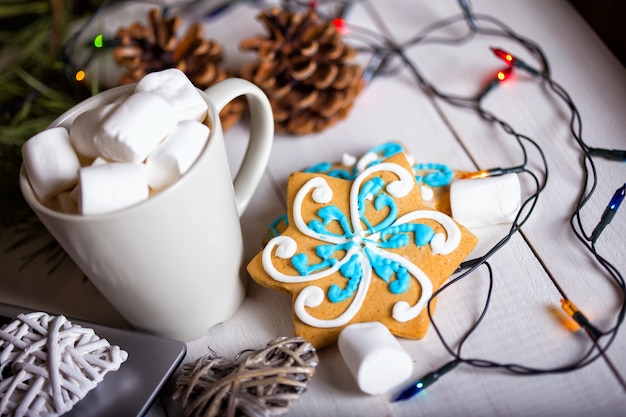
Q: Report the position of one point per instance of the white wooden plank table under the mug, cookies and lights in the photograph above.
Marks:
(524, 323)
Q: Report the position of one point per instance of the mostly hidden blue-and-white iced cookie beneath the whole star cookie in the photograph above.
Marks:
(434, 179)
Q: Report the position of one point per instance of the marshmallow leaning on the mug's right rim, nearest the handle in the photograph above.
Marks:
(173, 157)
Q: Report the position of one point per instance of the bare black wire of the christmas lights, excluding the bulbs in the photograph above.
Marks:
(391, 49)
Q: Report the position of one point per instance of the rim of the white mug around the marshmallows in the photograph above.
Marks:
(69, 115)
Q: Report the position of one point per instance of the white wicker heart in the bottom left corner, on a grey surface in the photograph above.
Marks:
(48, 364)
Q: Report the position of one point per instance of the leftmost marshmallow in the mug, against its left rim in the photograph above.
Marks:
(50, 162)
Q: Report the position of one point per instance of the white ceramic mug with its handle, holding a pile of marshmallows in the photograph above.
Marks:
(172, 264)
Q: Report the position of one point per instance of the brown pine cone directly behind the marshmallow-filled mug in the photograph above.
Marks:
(155, 47)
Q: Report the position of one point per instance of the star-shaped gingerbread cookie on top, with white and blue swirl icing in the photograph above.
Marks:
(361, 250)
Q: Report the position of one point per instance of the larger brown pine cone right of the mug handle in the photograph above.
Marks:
(303, 67)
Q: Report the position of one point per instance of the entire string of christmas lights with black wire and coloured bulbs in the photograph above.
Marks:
(387, 59)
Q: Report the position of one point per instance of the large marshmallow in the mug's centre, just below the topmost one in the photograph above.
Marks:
(134, 128)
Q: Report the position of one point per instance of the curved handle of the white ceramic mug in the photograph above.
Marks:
(261, 134)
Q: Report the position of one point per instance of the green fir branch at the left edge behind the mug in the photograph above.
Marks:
(34, 91)
